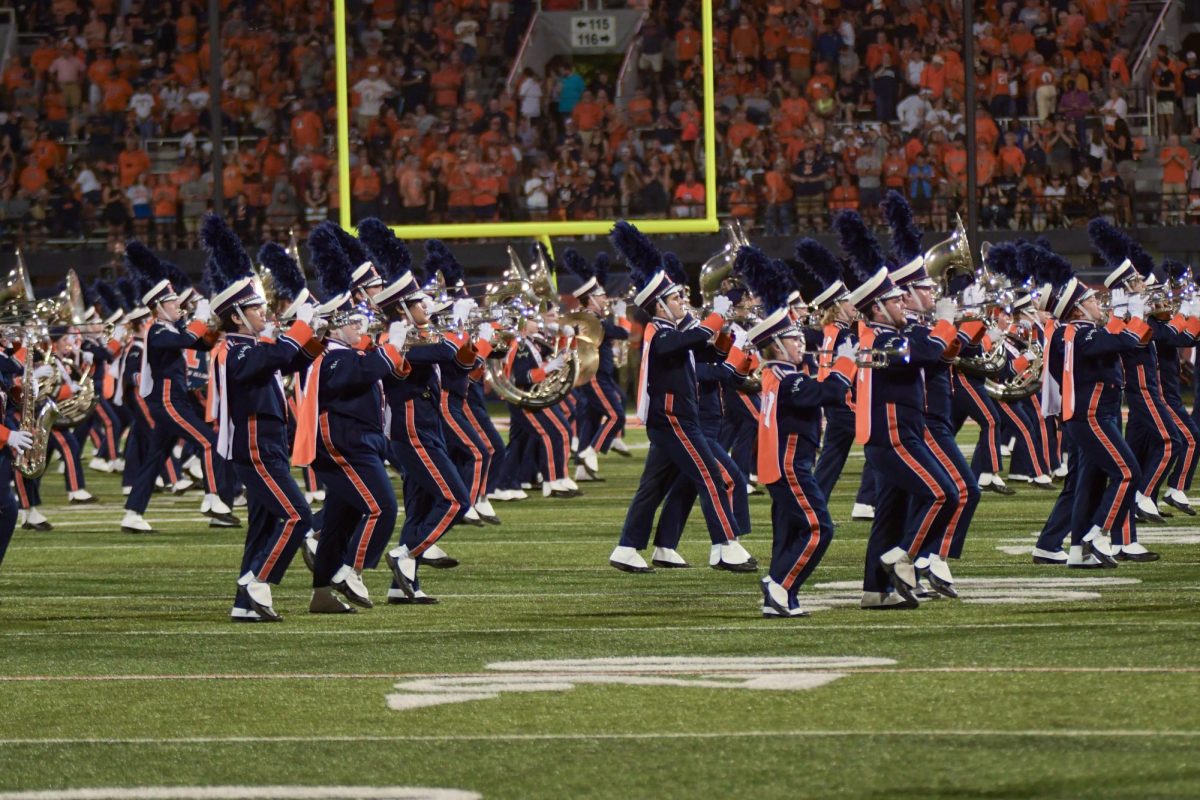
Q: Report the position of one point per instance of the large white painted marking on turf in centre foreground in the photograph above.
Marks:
(782, 675)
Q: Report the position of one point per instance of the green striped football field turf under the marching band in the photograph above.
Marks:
(544, 673)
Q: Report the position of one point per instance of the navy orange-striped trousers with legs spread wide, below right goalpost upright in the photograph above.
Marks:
(679, 448)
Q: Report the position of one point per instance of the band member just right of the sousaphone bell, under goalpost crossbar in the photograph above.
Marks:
(604, 408)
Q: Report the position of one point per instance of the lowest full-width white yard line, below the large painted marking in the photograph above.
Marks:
(1042, 733)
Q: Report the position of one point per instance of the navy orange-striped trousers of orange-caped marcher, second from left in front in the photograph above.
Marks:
(361, 503)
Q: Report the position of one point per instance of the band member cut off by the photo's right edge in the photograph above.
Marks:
(1185, 329)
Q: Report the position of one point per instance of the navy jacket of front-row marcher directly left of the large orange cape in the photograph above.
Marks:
(254, 389)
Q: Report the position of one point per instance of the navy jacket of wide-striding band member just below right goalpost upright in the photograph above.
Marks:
(670, 370)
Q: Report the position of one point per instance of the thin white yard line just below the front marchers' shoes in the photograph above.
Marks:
(775, 628)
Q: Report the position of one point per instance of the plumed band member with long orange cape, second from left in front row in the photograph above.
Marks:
(340, 432)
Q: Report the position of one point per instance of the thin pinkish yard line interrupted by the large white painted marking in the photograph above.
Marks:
(386, 676)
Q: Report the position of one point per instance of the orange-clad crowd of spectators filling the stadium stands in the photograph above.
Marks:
(821, 105)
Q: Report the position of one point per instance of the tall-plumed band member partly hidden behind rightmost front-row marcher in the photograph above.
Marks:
(1150, 432)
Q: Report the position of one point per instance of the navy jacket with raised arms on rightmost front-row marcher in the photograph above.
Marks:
(1096, 364)
